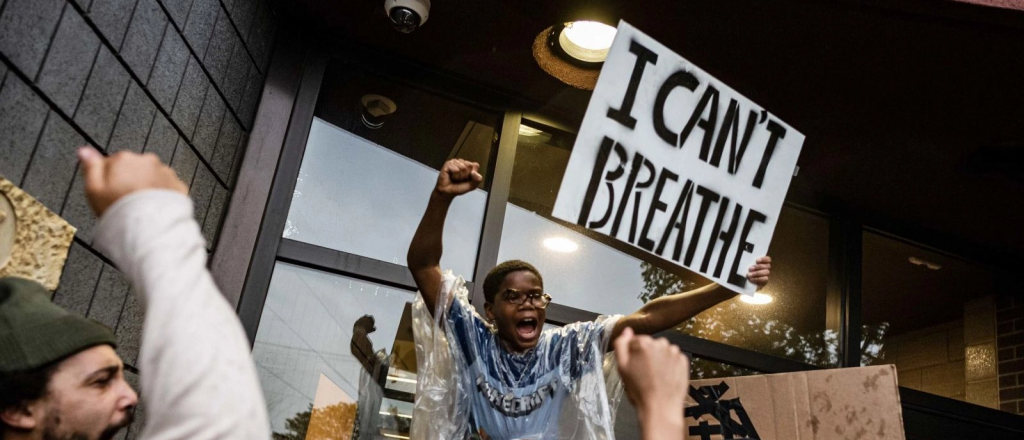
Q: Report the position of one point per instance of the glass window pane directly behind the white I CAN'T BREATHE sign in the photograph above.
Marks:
(603, 276)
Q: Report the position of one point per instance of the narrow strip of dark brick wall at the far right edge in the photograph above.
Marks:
(1010, 327)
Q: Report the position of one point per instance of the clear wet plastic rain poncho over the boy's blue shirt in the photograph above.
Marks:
(471, 387)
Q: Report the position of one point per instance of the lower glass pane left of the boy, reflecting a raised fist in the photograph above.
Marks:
(335, 354)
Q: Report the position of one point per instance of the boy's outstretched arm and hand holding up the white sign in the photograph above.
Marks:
(667, 313)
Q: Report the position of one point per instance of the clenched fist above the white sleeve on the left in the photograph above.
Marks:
(108, 180)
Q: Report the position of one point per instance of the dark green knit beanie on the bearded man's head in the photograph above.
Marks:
(35, 332)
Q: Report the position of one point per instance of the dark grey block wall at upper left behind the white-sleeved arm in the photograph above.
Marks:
(179, 78)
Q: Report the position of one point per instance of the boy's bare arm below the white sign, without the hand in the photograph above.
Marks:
(669, 312)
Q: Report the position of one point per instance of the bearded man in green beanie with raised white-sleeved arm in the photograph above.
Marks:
(60, 376)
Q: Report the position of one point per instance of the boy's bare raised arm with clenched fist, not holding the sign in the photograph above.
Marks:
(456, 179)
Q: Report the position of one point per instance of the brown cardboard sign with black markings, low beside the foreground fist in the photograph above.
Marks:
(846, 404)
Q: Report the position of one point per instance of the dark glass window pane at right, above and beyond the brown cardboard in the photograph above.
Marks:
(934, 317)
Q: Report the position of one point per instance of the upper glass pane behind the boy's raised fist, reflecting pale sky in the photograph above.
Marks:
(363, 190)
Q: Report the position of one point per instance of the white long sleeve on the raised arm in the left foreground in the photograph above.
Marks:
(199, 381)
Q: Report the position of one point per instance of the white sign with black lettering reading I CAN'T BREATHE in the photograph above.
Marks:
(672, 161)
